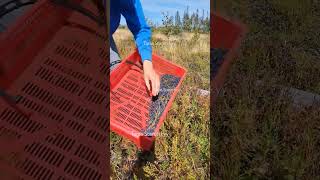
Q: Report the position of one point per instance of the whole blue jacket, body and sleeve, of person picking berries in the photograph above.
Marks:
(133, 13)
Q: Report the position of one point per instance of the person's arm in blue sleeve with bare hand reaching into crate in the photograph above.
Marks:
(133, 13)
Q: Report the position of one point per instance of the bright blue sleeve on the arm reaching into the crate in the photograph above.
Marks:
(136, 22)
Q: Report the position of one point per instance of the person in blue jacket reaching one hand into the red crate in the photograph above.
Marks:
(132, 11)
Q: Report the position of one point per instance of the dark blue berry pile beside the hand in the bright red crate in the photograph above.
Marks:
(167, 85)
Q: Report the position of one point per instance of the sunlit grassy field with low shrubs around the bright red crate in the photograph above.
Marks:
(182, 150)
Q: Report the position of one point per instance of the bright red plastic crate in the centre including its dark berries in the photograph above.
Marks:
(134, 114)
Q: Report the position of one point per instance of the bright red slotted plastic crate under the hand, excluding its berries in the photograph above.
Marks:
(130, 100)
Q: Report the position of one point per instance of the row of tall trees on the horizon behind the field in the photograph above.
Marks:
(188, 22)
